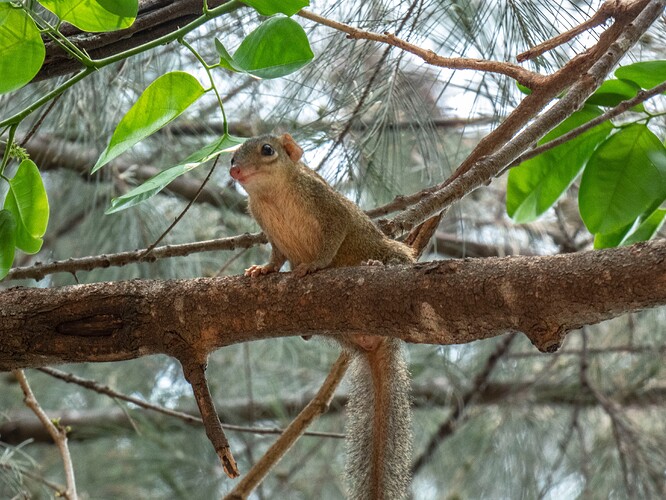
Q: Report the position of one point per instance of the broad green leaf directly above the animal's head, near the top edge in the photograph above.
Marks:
(276, 48)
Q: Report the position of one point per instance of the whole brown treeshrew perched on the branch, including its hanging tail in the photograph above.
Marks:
(314, 227)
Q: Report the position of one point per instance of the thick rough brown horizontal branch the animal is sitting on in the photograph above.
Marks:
(446, 302)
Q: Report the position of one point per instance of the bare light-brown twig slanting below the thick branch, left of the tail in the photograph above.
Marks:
(314, 409)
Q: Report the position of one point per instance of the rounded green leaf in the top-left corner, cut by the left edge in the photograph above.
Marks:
(21, 48)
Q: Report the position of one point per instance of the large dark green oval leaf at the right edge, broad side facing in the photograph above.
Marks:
(625, 177)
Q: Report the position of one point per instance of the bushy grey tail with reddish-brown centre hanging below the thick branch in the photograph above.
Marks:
(379, 436)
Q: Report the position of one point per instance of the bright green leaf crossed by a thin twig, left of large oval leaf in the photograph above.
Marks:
(536, 184)
